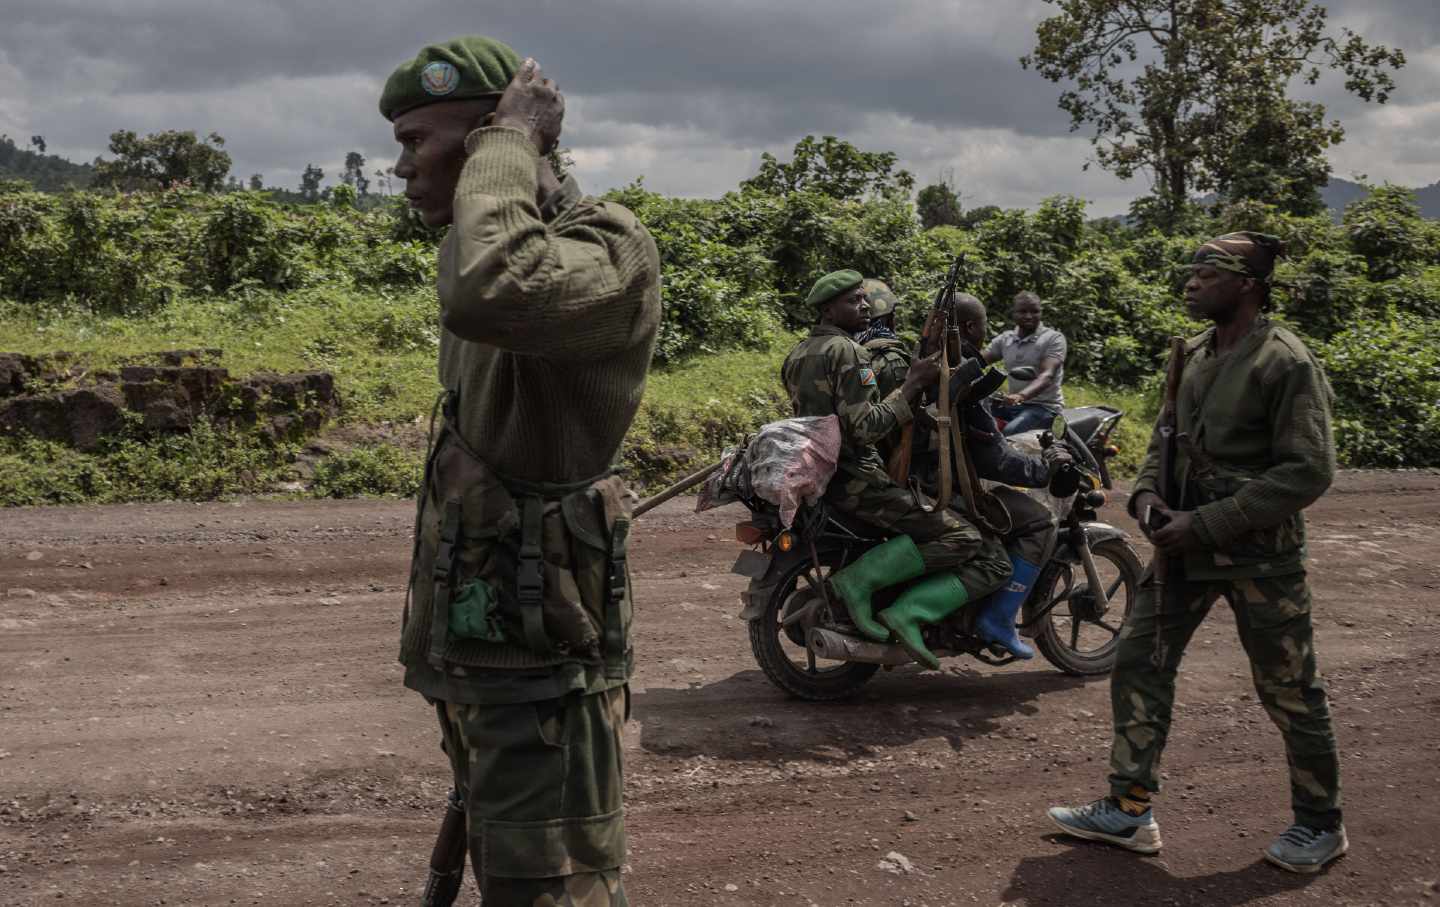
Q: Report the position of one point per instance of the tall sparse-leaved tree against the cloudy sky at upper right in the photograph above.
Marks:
(1171, 87)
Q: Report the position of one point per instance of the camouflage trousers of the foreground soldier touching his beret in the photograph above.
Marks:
(542, 785)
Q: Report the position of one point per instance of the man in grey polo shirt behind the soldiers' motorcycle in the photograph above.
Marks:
(1032, 404)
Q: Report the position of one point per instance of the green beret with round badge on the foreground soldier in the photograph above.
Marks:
(460, 70)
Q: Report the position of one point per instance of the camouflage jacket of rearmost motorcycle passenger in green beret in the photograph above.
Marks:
(830, 374)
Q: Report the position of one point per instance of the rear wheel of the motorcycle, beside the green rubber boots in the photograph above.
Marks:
(781, 651)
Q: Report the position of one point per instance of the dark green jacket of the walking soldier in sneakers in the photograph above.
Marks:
(1256, 451)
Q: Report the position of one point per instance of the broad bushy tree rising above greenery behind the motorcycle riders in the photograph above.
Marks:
(833, 168)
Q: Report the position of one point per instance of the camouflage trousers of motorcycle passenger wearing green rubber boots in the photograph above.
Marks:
(947, 539)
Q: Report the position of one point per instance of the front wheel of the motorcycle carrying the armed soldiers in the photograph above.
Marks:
(1072, 626)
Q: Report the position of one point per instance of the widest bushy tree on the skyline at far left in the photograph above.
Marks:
(163, 161)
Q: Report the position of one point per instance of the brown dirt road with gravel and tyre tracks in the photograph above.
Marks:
(199, 705)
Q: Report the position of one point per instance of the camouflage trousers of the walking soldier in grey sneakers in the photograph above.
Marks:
(1274, 618)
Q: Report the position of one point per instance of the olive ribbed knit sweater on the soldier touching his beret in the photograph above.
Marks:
(551, 317)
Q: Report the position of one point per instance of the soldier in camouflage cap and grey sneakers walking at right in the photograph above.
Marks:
(1256, 450)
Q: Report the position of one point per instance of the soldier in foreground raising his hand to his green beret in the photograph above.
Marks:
(518, 620)
